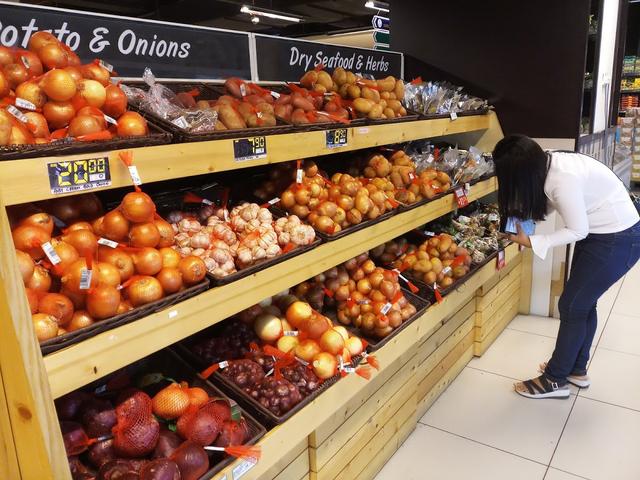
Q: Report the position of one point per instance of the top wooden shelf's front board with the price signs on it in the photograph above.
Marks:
(26, 180)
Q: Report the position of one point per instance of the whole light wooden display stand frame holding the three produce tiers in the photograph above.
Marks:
(347, 432)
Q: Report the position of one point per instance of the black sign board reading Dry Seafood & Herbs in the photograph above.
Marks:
(287, 59)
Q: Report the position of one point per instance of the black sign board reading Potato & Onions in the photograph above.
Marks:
(130, 45)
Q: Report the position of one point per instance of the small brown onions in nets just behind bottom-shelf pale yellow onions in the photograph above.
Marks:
(362, 295)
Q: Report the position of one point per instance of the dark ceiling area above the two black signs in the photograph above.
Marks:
(318, 16)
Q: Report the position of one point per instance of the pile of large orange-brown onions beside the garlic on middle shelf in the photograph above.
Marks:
(95, 266)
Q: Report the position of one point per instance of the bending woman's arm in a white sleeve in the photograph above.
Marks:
(568, 198)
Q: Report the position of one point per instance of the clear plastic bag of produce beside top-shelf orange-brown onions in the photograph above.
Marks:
(162, 101)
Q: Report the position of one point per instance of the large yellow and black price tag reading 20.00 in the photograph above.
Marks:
(77, 175)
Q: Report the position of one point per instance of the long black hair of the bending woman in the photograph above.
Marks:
(521, 167)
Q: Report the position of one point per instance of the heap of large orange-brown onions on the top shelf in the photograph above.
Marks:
(46, 94)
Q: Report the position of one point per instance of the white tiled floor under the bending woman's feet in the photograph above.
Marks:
(480, 429)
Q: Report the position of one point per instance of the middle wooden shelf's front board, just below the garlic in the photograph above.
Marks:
(93, 358)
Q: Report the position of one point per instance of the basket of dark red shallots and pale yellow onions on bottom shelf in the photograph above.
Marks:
(300, 348)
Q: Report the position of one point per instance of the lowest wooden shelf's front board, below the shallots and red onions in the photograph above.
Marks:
(335, 404)
